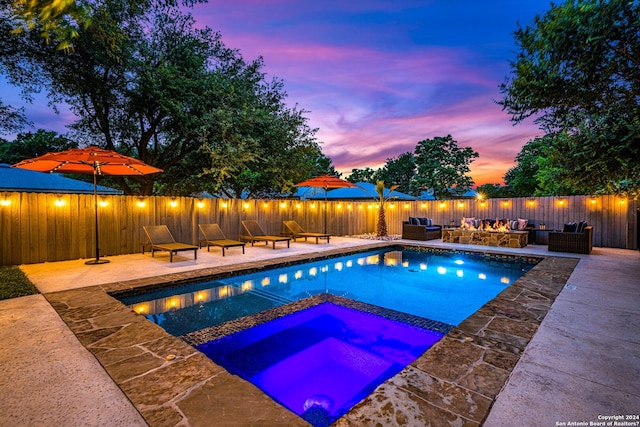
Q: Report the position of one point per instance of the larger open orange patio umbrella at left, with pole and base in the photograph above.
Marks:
(90, 160)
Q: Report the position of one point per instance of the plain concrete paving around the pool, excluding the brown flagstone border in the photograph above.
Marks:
(583, 361)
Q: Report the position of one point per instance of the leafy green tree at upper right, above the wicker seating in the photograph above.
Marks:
(577, 72)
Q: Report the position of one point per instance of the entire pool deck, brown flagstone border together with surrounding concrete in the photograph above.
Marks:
(505, 365)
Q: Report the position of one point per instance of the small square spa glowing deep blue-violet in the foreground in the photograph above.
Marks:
(321, 361)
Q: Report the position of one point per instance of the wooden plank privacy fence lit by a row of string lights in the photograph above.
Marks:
(39, 227)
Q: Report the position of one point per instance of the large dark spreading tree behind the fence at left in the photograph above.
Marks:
(144, 81)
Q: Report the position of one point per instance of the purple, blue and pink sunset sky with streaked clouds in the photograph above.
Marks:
(378, 76)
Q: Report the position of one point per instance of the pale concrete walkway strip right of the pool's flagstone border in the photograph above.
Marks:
(584, 360)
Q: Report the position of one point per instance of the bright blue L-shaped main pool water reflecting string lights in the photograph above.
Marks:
(442, 286)
